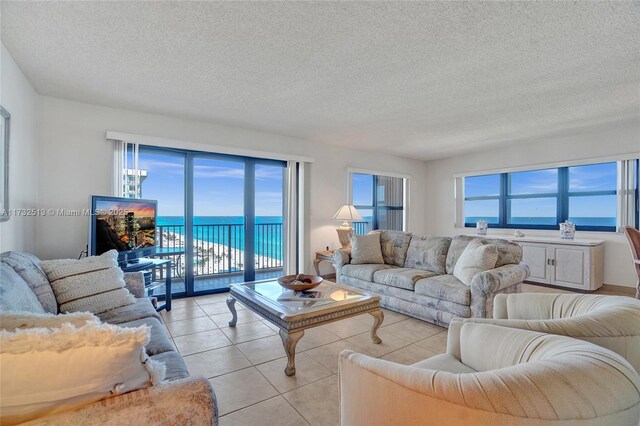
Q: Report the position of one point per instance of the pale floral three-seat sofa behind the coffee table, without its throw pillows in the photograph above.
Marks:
(417, 279)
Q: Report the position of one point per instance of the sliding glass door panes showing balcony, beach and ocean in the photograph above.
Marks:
(229, 228)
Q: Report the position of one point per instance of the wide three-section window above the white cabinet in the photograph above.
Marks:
(541, 199)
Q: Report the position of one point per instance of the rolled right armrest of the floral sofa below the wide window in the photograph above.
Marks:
(485, 285)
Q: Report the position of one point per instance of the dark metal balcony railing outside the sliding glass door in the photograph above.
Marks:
(219, 248)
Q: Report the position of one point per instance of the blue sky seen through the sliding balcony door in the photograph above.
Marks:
(218, 186)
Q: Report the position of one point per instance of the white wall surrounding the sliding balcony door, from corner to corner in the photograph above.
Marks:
(76, 161)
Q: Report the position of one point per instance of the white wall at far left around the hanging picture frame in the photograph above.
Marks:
(18, 97)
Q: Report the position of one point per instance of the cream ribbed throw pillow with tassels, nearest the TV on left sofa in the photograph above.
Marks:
(95, 284)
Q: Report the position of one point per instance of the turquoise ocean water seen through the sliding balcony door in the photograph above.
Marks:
(216, 229)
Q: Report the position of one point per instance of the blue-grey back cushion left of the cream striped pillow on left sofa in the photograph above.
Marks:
(28, 267)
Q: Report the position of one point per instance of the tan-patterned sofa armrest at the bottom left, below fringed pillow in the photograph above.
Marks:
(186, 401)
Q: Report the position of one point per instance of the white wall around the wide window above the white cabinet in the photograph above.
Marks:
(619, 139)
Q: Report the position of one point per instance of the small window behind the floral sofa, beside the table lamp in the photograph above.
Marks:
(380, 201)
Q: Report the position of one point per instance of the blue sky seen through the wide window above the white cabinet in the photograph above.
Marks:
(597, 177)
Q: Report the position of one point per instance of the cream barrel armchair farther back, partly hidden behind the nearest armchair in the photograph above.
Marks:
(612, 322)
